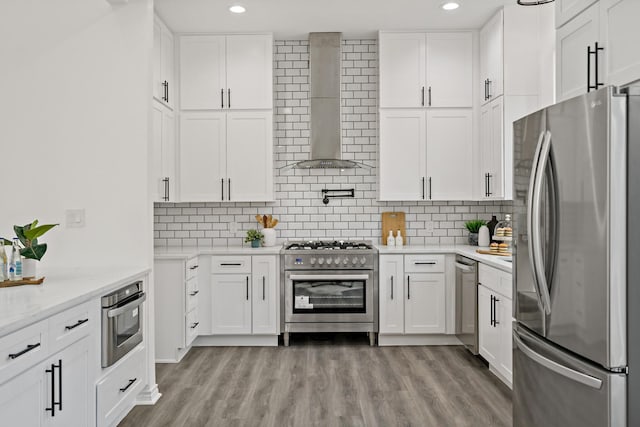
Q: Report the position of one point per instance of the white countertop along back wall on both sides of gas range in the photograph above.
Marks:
(465, 250)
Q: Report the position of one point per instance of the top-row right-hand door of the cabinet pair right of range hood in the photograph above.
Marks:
(449, 70)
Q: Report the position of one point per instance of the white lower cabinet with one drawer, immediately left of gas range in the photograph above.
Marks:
(244, 291)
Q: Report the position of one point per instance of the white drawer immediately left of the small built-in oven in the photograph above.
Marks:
(71, 325)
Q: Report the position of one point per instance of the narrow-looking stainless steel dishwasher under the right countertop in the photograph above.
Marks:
(467, 302)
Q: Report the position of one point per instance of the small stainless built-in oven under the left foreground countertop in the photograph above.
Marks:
(121, 322)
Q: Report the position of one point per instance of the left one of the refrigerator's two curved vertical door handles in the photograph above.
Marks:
(539, 269)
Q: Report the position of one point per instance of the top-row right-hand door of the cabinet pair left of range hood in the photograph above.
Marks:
(249, 60)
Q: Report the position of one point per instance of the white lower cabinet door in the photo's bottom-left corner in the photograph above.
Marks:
(22, 400)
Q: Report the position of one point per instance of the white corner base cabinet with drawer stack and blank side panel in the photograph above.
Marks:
(176, 315)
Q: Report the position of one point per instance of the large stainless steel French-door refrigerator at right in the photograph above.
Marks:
(576, 339)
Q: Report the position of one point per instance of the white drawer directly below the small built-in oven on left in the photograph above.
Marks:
(117, 391)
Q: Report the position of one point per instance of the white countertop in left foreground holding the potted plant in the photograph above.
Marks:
(21, 306)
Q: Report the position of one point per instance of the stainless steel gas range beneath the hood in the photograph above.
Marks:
(329, 287)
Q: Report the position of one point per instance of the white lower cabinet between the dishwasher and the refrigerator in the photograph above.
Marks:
(495, 320)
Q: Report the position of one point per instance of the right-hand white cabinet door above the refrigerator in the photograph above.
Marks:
(620, 33)
